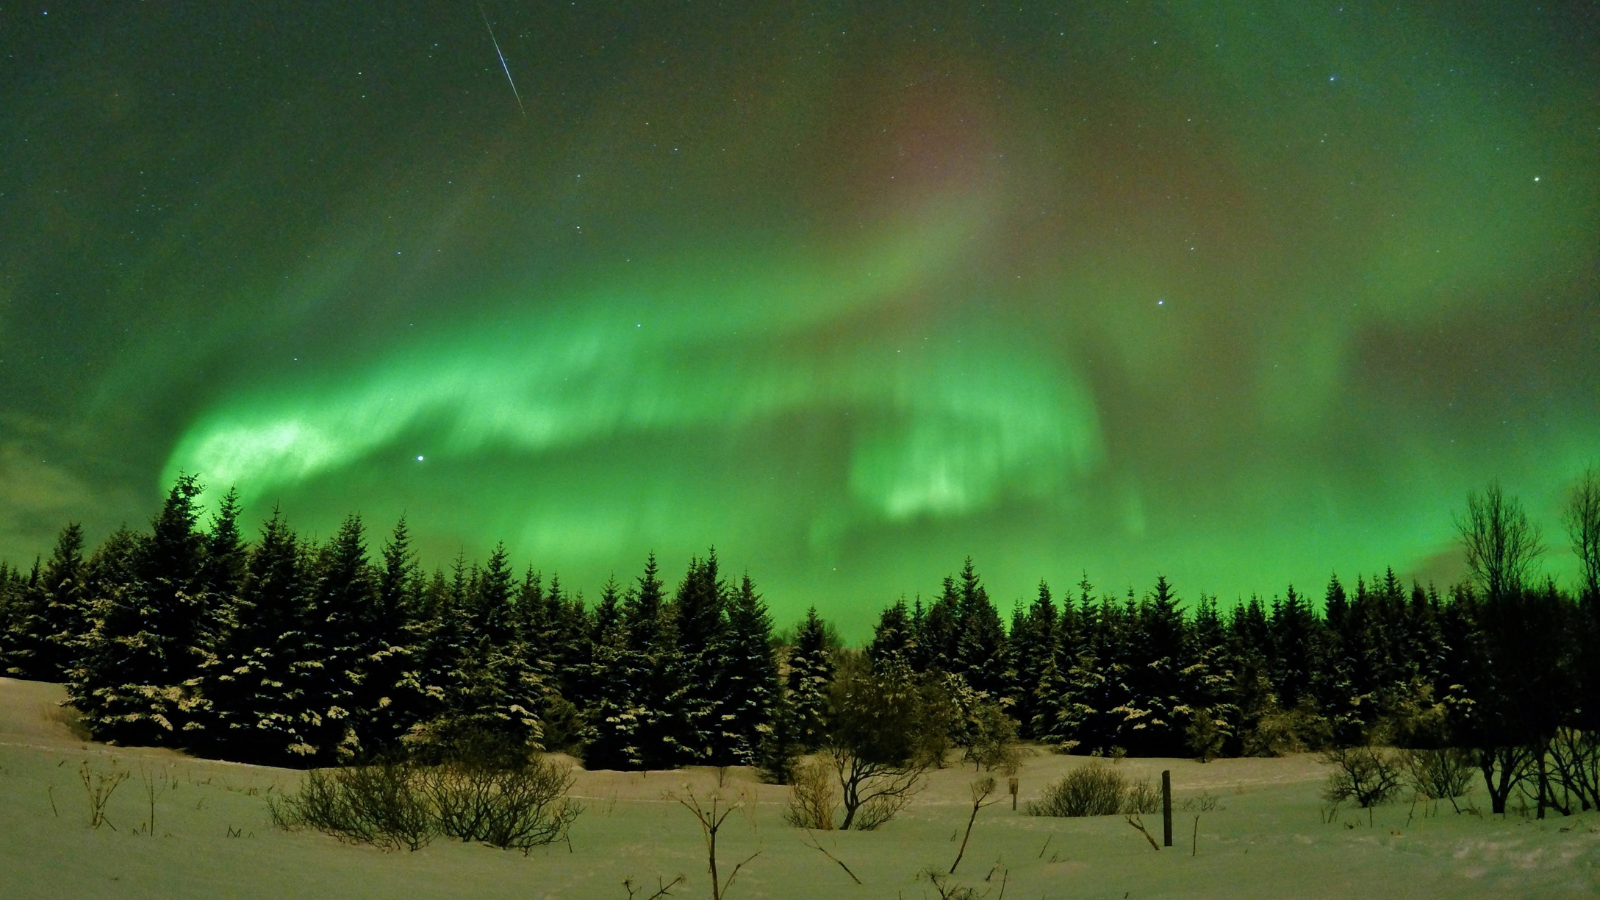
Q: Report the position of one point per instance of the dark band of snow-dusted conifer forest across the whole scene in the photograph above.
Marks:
(300, 654)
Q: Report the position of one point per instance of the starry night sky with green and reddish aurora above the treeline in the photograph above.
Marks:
(1241, 294)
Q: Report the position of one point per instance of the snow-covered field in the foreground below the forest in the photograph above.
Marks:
(1266, 837)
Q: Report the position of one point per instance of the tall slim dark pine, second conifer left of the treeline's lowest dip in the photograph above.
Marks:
(751, 677)
